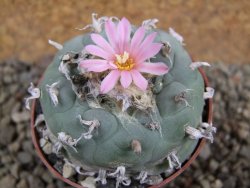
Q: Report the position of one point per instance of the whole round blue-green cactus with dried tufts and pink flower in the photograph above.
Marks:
(123, 131)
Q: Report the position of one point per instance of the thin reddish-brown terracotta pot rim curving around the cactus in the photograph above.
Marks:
(208, 109)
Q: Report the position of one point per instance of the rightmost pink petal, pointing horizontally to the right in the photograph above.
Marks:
(153, 68)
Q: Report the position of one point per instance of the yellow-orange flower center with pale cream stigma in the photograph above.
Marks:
(124, 62)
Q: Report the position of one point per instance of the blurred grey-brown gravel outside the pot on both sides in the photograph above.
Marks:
(225, 163)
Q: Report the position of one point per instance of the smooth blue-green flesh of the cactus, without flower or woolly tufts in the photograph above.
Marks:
(110, 145)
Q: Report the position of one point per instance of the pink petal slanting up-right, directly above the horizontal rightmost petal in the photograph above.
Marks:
(148, 52)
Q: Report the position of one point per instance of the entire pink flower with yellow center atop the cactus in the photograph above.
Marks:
(125, 57)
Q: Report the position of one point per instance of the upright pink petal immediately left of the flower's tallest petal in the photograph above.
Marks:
(110, 29)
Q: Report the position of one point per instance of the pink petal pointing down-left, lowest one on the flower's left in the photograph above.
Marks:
(109, 81)
